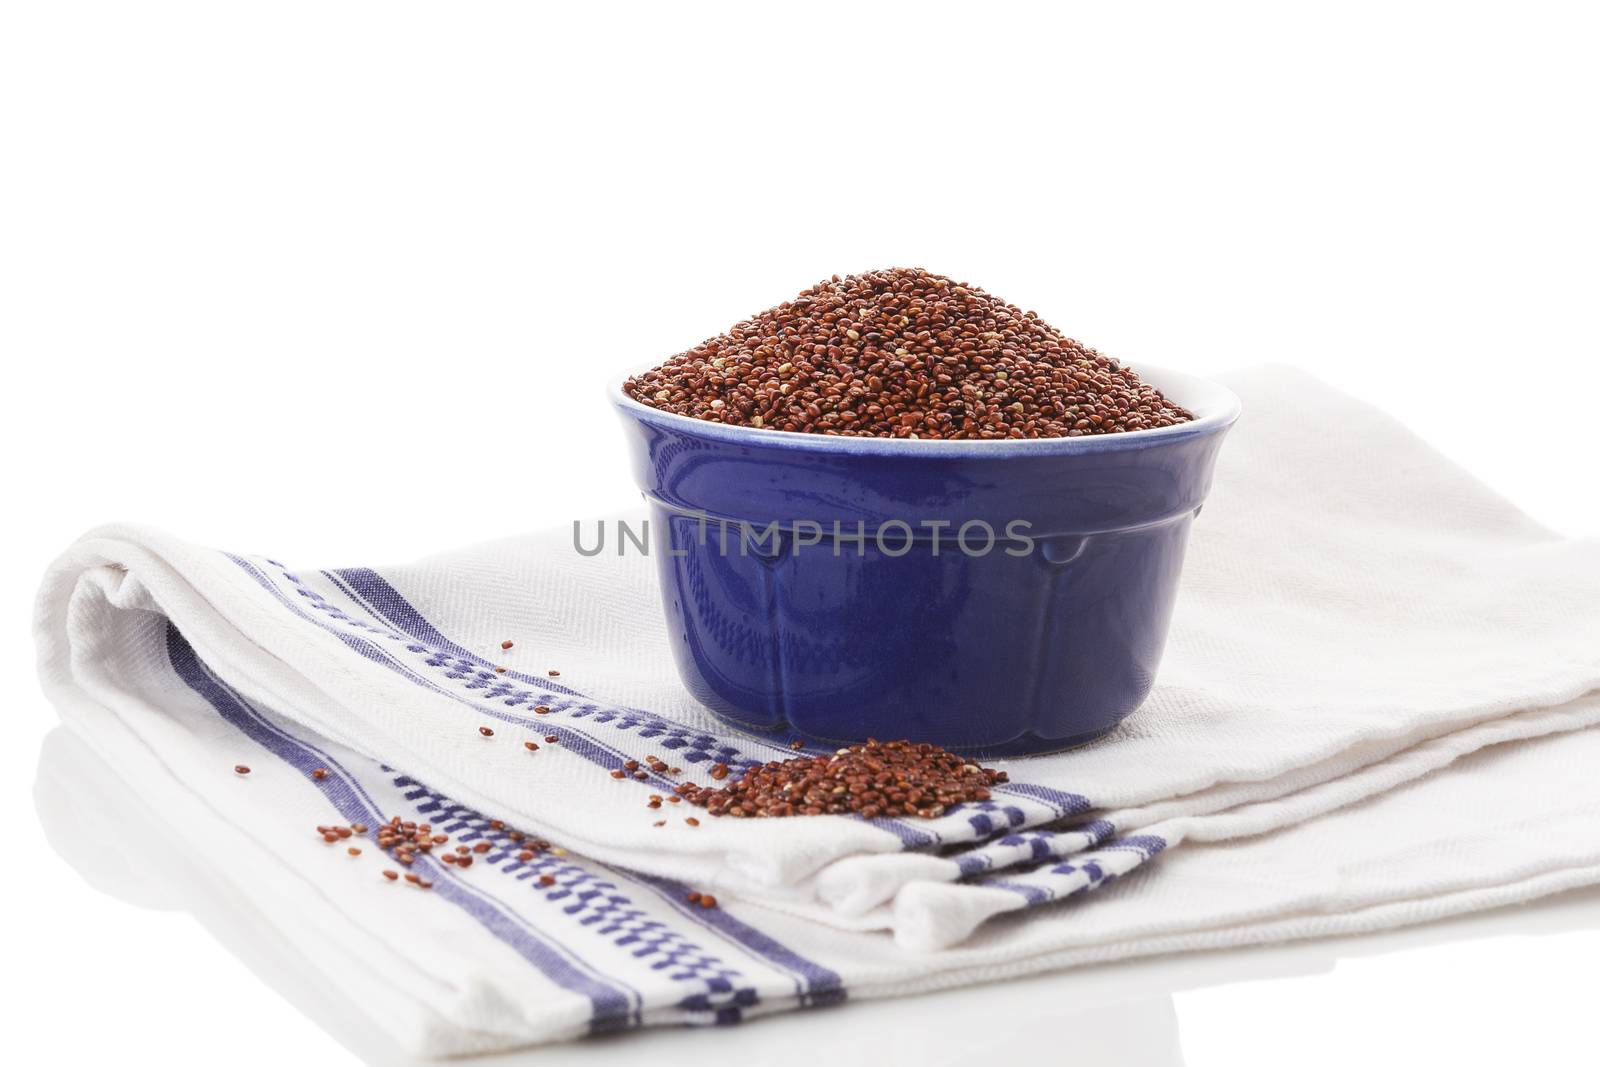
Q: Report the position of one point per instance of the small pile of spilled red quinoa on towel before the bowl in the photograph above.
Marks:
(890, 780)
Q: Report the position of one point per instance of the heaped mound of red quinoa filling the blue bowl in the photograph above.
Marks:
(910, 354)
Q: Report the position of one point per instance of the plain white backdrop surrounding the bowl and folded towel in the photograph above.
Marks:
(345, 282)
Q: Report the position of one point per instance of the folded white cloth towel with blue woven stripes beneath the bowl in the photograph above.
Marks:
(1356, 615)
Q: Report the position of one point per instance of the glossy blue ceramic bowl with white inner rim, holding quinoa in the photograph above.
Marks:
(890, 625)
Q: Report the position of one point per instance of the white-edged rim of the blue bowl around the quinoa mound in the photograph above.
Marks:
(1214, 406)
